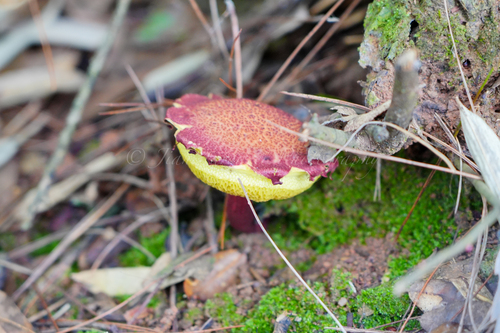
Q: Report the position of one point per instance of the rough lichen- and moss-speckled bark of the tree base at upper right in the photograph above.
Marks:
(391, 26)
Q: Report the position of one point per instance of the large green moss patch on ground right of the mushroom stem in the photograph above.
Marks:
(338, 210)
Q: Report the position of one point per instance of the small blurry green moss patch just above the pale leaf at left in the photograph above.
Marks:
(154, 244)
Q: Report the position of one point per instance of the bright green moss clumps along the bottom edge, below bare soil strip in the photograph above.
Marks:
(309, 316)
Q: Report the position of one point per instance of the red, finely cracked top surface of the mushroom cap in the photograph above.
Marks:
(235, 133)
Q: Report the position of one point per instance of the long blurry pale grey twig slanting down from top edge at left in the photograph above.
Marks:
(75, 113)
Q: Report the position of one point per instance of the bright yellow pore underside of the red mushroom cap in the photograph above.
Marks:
(259, 188)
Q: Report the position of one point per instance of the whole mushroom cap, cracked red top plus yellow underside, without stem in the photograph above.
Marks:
(222, 140)
